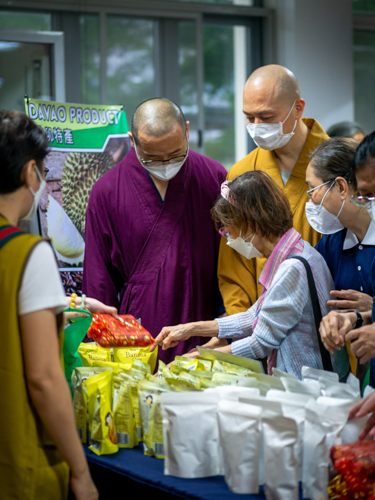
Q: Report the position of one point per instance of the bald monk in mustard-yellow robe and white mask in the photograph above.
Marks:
(273, 108)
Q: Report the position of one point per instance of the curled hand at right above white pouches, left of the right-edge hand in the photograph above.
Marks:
(333, 329)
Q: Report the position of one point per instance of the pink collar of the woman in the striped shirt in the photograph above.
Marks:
(291, 240)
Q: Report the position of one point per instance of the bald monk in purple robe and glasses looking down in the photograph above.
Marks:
(151, 245)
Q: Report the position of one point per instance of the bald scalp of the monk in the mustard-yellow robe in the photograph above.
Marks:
(277, 83)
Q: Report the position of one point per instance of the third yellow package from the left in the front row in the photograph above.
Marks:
(123, 412)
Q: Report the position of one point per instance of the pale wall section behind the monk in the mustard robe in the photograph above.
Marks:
(314, 40)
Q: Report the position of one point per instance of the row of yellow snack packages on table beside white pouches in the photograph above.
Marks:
(117, 399)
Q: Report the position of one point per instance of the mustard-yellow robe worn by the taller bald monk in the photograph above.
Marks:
(238, 276)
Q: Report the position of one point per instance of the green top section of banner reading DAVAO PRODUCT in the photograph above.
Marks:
(78, 127)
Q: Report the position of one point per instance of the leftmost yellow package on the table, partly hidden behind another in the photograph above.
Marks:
(80, 397)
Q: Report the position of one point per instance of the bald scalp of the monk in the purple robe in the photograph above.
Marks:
(157, 117)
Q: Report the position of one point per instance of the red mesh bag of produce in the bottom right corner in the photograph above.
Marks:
(355, 464)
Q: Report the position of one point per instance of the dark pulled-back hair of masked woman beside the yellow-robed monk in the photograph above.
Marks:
(335, 158)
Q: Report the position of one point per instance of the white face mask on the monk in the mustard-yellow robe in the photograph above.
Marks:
(270, 136)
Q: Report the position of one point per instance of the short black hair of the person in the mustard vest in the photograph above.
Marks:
(21, 140)
